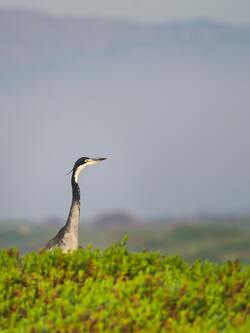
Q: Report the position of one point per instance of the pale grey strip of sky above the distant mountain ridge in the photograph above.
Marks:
(232, 11)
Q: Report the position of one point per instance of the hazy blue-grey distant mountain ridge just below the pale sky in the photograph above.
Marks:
(29, 39)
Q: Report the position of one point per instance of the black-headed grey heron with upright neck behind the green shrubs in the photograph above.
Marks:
(67, 237)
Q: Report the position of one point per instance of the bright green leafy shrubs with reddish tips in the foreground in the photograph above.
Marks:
(119, 291)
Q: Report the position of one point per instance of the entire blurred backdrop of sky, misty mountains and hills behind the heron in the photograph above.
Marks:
(161, 88)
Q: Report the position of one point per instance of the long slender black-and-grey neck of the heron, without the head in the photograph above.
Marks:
(74, 213)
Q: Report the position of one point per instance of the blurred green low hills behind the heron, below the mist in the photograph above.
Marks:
(216, 239)
